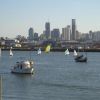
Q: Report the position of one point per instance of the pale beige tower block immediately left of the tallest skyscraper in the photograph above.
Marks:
(66, 33)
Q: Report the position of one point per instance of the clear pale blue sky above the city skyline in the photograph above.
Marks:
(17, 16)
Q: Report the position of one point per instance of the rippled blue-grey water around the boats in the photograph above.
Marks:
(56, 77)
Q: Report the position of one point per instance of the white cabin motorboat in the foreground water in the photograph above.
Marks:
(23, 67)
